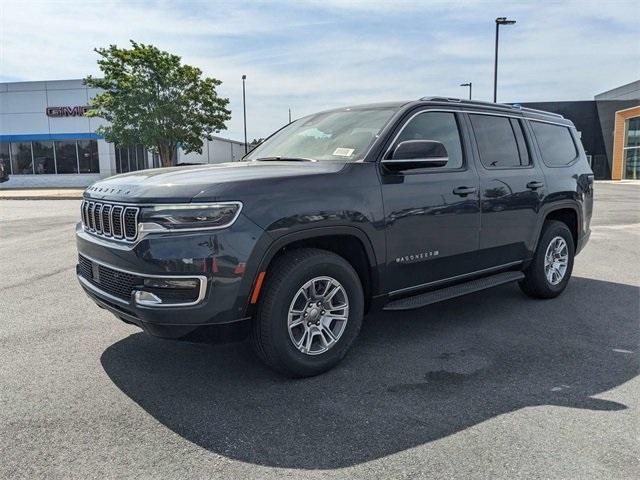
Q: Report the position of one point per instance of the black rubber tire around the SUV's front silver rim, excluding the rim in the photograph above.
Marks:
(270, 333)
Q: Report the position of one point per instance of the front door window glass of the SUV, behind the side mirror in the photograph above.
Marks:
(439, 126)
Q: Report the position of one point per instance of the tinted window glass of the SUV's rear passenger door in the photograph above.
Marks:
(496, 139)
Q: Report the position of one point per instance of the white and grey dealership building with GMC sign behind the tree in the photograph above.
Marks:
(47, 141)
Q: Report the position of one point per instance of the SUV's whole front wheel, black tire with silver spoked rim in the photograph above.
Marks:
(310, 312)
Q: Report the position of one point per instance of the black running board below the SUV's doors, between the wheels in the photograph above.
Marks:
(435, 296)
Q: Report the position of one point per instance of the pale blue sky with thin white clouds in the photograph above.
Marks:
(314, 55)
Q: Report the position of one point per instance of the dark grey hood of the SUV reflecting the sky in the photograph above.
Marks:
(182, 184)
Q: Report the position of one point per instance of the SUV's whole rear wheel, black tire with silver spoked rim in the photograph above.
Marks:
(550, 270)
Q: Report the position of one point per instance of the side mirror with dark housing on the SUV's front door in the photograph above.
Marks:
(412, 154)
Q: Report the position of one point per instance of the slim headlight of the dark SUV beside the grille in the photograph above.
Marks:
(192, 216)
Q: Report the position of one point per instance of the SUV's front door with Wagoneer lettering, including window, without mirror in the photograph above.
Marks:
(432, 215)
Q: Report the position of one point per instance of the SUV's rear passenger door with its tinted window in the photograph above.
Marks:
(511, 188)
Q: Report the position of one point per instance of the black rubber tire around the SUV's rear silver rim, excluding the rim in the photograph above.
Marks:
(535, 284)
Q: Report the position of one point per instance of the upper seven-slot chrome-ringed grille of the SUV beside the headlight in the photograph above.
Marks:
(110, 220)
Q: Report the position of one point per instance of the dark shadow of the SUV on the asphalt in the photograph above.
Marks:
(412, 377)
